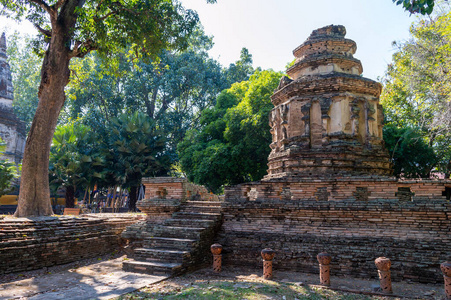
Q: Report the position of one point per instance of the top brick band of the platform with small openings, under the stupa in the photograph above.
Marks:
(356, 188)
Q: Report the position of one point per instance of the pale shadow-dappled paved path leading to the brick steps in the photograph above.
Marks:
(103, 280)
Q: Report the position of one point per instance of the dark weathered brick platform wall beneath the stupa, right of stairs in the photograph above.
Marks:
(415, 235)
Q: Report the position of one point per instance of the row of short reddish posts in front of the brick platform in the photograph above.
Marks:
(383, 265)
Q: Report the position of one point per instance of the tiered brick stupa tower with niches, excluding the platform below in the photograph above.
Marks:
(327, 120)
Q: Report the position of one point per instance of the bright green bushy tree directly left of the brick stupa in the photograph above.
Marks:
(232, 145)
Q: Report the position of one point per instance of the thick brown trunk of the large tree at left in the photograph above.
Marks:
(34, 196)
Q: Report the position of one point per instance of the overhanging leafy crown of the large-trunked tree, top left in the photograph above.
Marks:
(107, 25)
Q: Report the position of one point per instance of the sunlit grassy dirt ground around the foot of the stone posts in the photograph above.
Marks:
(247, 283)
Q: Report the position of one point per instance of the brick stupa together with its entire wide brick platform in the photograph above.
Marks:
(329, 186)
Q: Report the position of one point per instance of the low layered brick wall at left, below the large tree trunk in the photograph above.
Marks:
(28, 244)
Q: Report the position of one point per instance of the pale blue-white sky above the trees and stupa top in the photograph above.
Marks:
(271, 29)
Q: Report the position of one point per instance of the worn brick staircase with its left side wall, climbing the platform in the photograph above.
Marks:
(182, 221)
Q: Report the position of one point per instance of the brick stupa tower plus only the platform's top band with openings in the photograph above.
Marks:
(326, 130)
